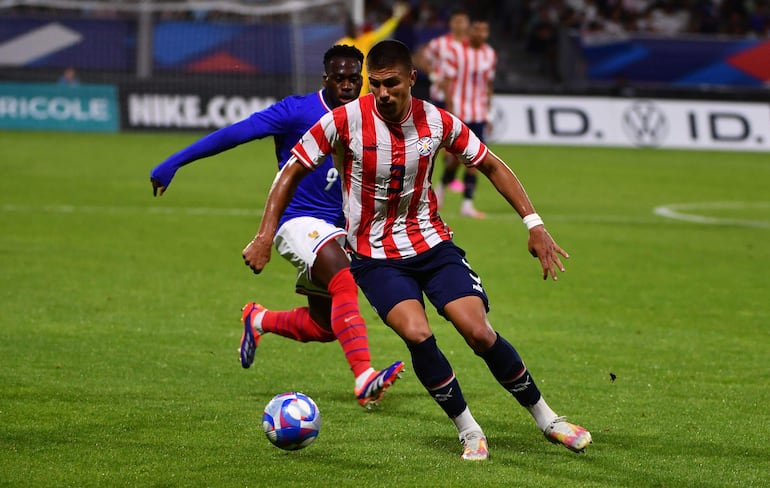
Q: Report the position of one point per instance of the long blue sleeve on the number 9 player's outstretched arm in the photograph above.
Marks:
(268, 122)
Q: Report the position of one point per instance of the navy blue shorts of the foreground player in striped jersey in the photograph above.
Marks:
(442, 274)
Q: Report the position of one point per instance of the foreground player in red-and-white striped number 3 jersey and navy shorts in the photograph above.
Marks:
(385, 145)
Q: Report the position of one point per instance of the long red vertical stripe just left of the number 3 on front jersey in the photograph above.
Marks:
(368, 175)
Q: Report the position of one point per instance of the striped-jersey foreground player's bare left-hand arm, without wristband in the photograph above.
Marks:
(256, 254)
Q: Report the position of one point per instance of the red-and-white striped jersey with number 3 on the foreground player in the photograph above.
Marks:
(386, 168)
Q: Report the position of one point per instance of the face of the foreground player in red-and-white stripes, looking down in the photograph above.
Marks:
(392, 89)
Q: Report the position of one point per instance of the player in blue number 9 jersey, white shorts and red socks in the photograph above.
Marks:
(311, 232)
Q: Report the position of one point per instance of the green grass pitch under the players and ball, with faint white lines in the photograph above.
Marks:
(119, 324)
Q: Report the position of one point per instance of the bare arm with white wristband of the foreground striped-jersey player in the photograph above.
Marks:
(541, 244)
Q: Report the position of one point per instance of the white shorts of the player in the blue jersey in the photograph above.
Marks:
(299, 240)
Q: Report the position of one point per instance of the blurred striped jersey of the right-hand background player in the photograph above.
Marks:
(470, 71)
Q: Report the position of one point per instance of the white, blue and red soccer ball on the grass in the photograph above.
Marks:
(291, 420)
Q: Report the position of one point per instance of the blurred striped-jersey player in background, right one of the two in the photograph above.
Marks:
(469, 73)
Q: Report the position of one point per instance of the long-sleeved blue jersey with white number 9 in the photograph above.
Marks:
(318, 195)
